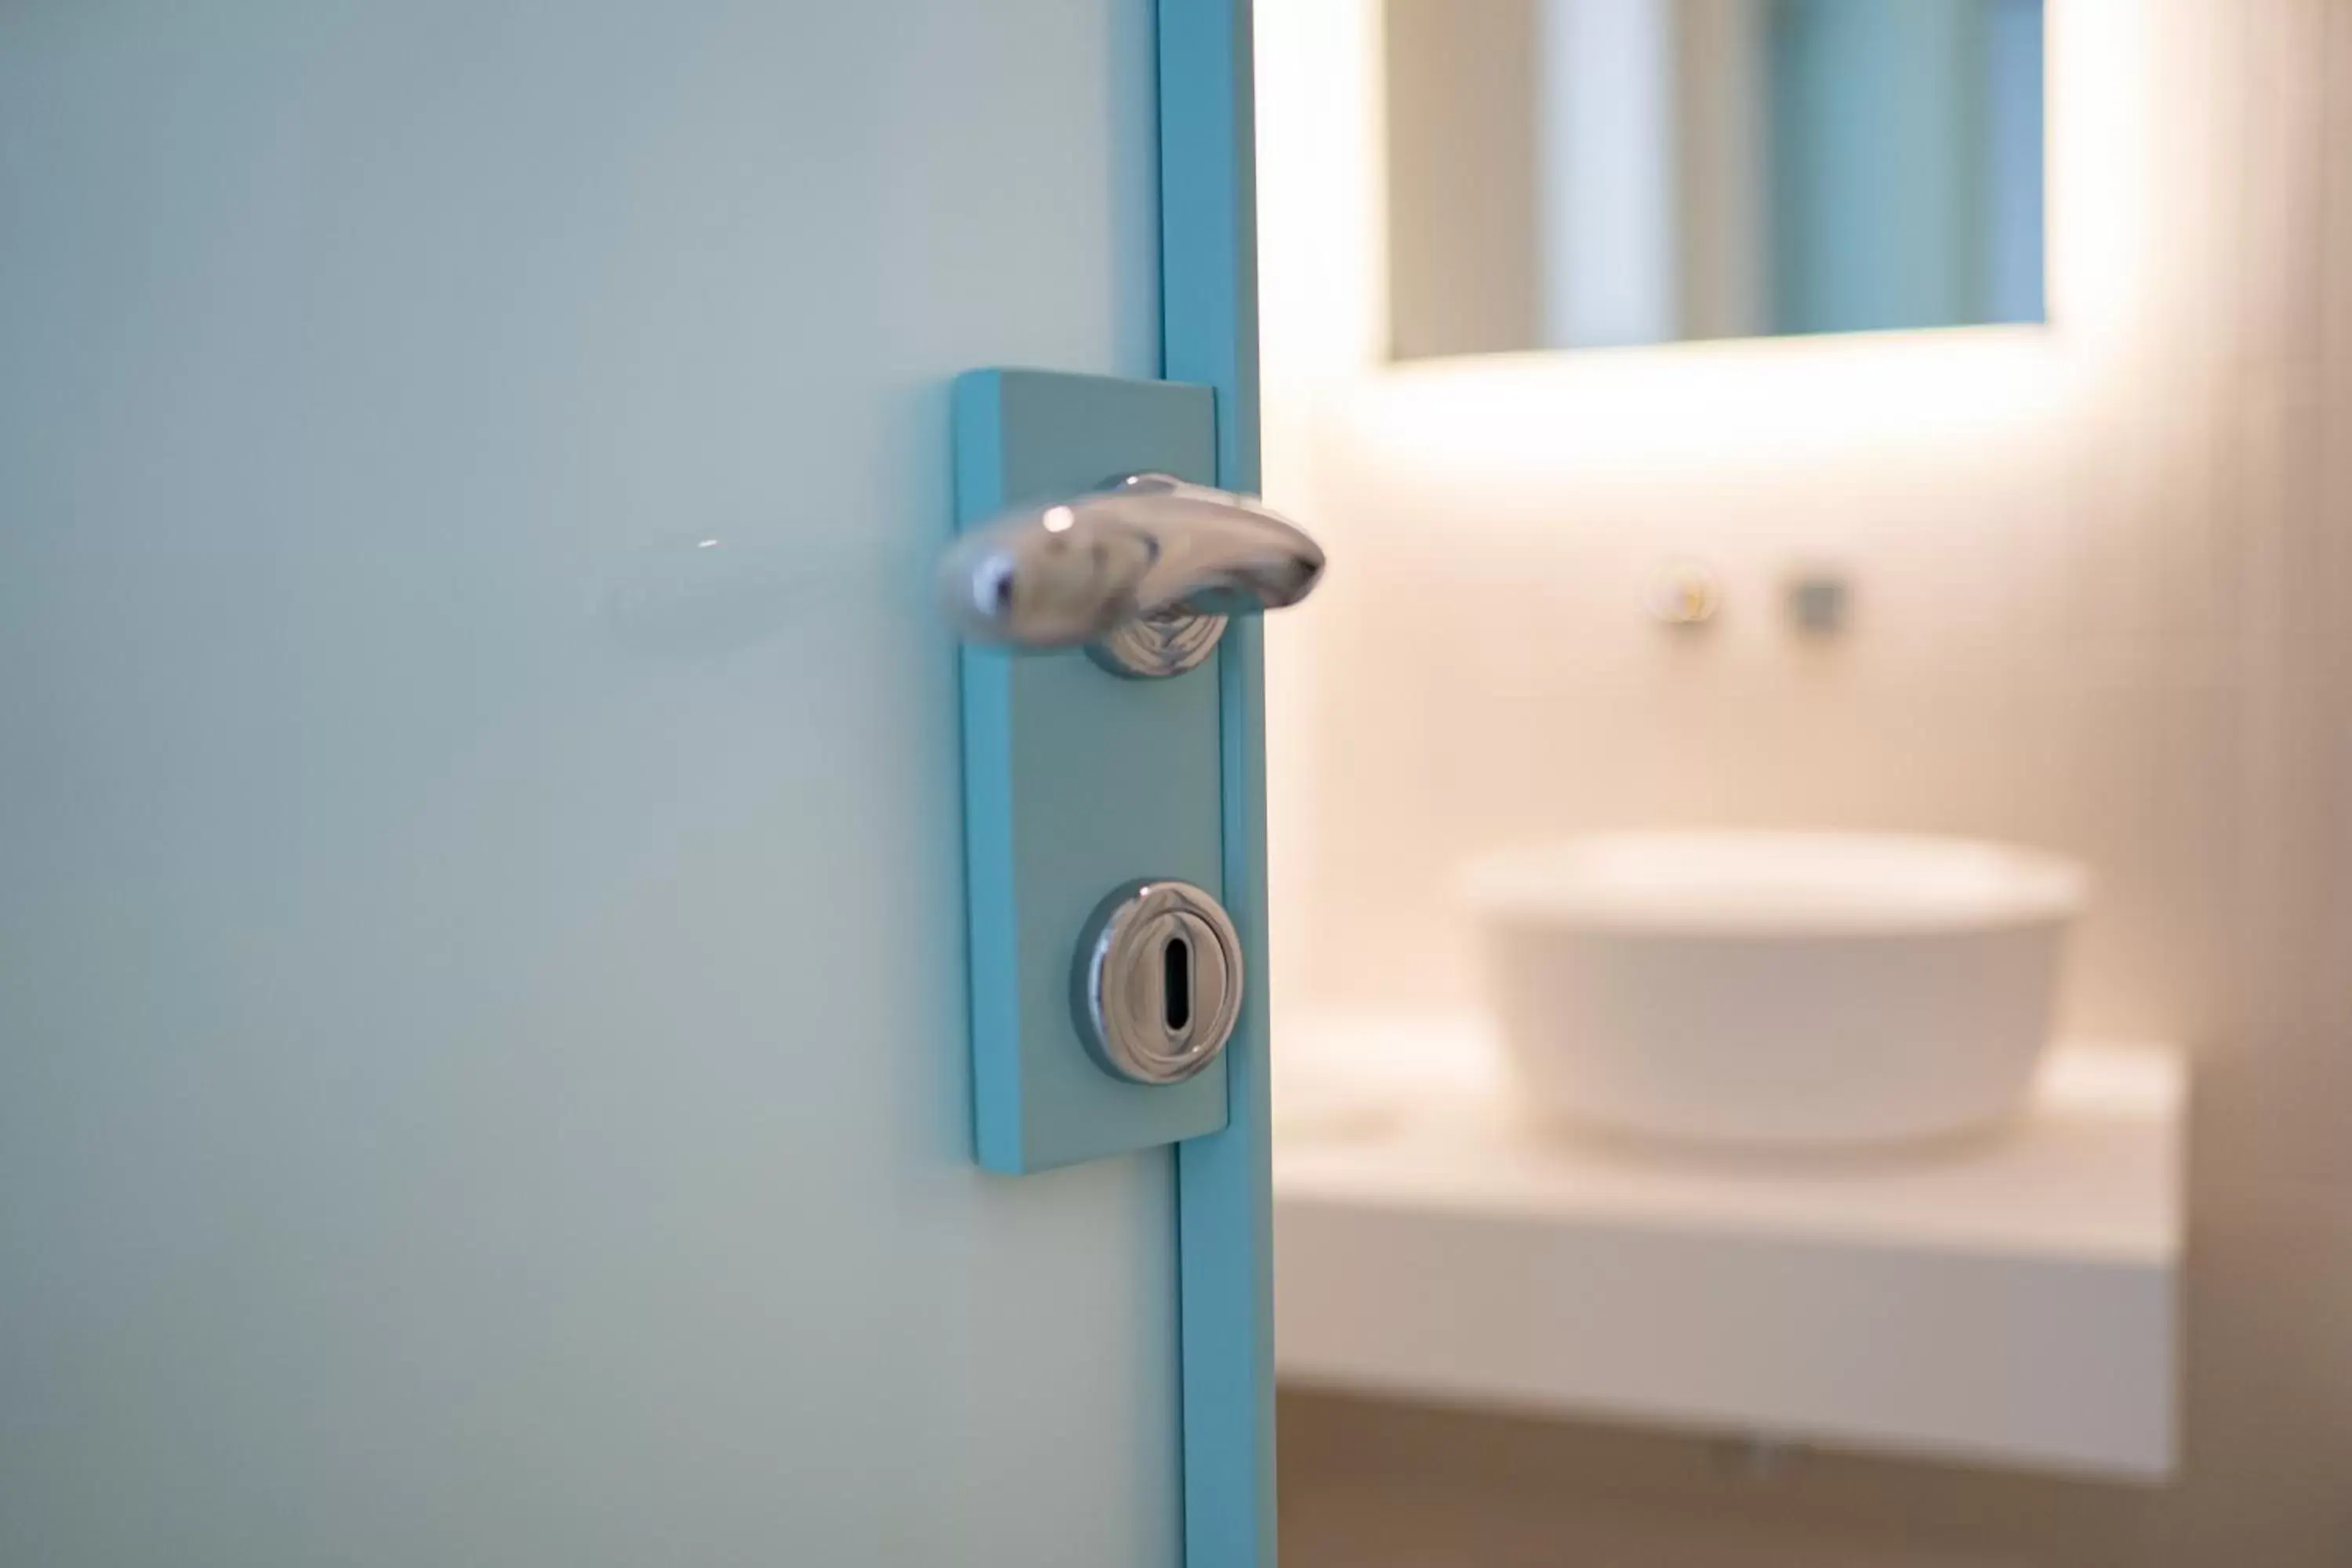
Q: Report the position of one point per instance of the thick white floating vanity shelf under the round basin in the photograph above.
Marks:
(2007, 1301)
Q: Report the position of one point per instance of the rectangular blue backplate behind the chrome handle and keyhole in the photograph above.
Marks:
(1076, 782)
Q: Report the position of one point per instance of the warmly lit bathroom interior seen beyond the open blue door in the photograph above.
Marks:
(1808, 824)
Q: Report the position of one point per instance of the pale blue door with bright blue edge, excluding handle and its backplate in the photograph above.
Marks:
(483, 991)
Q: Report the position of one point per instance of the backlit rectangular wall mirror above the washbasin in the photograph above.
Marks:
(1605, 173)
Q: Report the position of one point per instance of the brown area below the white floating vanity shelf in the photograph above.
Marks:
(1377, 1485)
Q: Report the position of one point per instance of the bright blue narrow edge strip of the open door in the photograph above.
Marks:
(1224, 1181)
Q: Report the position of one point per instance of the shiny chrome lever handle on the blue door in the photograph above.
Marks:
(1142, 572)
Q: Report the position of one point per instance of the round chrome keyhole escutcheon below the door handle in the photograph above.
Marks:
(1158, 981)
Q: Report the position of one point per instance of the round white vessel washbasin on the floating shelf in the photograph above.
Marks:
(1777, 989)
